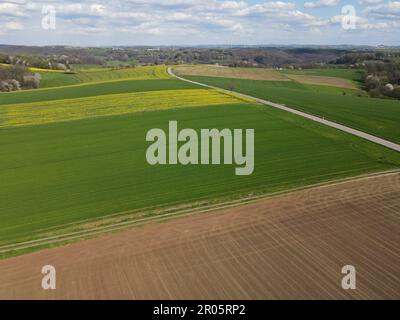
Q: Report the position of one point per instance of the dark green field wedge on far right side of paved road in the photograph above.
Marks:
(380, 117)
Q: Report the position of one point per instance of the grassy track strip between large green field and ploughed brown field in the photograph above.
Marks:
(169, 213)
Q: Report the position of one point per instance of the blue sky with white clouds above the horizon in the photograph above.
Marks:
(194, 22)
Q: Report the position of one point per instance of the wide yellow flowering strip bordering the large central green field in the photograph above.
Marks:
(106, 105)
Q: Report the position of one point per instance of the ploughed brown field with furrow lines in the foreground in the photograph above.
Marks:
(292, 246)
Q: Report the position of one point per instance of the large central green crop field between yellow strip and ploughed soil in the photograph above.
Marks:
(67, 172)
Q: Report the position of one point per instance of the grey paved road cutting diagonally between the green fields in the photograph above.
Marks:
(375, 139)
